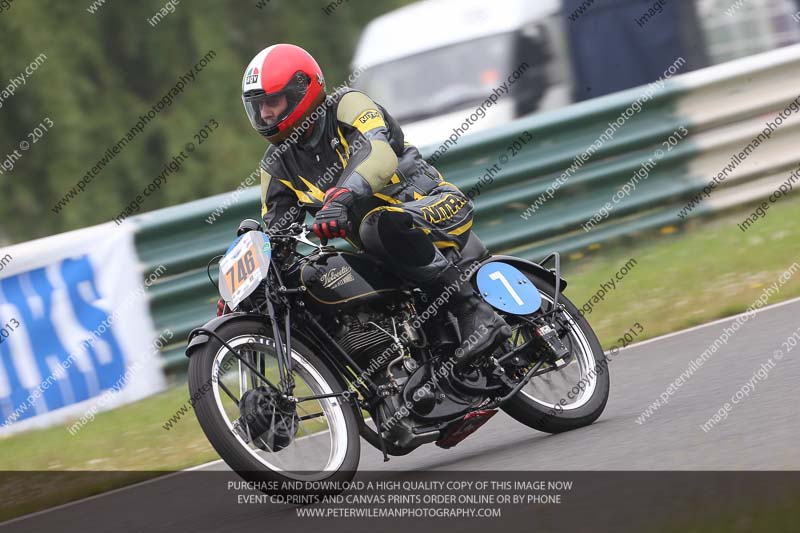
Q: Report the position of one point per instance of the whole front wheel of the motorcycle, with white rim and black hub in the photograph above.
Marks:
(259, 435)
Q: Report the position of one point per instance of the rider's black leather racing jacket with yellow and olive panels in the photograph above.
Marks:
(357, 145)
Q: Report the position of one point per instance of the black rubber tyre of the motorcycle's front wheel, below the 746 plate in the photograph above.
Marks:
(220, 435)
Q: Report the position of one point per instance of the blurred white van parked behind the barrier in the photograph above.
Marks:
(433, 62)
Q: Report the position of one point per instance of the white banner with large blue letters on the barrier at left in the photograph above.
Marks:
(76, 335)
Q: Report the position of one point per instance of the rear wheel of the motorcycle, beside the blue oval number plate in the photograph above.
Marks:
(572, 393)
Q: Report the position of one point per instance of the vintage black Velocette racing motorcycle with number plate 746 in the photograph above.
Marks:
(319, 349)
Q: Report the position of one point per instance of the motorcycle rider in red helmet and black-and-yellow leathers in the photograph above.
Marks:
(343, 158)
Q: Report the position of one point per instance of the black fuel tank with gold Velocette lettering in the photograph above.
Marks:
(343, 279)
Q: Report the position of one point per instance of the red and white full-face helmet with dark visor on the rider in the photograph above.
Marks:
(282, 70)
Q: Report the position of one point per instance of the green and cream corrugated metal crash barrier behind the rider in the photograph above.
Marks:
(722, 108)
